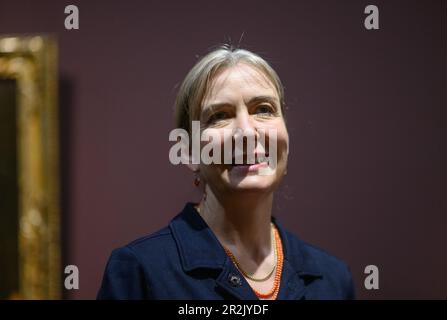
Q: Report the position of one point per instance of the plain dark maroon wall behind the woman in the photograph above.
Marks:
(366, 115)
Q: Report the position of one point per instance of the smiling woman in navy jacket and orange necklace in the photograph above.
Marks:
(228, 246)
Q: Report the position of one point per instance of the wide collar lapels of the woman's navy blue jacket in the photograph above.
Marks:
(199, 248)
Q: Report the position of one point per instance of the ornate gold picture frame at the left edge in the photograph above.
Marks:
(31, 62)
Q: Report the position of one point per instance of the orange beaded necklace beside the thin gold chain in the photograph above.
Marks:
(273, 293)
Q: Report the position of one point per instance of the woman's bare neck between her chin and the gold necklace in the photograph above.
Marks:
(241, 225)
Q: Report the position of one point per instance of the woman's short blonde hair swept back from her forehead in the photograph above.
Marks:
(197, 81)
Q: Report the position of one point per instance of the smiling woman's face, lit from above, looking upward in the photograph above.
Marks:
(241, 99)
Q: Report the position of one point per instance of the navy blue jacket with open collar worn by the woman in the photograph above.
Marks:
(186, 261)
